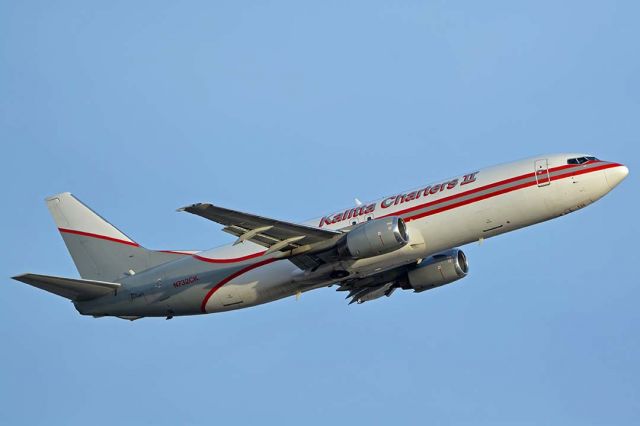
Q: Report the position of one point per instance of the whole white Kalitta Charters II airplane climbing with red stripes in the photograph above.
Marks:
(408, 240)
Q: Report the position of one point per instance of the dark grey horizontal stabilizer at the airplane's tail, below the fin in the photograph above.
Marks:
(71, 288)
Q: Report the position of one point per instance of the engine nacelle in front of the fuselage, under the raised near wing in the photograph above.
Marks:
(373, 238)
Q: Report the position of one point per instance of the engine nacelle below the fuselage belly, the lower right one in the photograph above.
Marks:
(441, 269)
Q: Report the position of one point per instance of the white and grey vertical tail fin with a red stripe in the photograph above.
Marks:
(99, 250)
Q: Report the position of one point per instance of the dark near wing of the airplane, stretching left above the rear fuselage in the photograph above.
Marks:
(299, 242)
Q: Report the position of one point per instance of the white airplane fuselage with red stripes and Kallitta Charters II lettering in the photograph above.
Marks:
(445, 214)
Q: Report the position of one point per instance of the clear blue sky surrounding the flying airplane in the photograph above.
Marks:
(290, 110)
